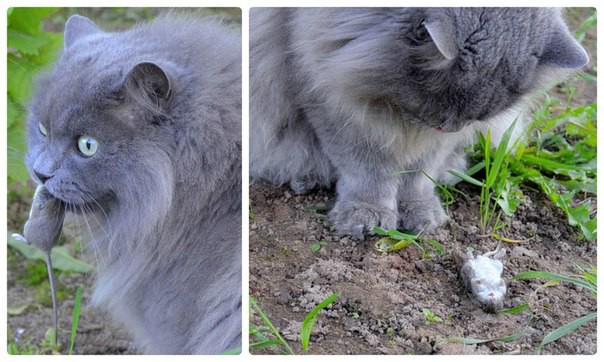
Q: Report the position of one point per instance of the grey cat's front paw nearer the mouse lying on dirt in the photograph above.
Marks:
(418, 215)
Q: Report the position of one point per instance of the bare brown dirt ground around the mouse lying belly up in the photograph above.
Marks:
(382, 296)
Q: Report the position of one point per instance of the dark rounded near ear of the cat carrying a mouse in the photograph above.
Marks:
(151, 81)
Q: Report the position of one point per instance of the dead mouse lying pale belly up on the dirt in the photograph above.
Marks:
(481, 276)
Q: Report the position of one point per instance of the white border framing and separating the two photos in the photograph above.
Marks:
(245, 6)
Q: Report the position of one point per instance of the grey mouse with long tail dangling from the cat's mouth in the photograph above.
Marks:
(42, 230)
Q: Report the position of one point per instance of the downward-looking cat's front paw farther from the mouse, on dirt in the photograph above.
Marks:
(359, 218)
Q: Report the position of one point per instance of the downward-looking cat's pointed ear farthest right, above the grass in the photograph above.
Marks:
(563, 51)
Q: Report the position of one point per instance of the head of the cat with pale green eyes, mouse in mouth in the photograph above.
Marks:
(98, 138)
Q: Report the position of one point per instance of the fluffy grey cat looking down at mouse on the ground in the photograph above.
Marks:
(353, 95)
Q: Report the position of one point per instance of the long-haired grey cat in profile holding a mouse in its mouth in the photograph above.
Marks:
(139, 133)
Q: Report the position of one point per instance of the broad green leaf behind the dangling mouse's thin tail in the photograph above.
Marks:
(61, 260)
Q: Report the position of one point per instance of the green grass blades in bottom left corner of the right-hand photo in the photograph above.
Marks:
(259, 340)
